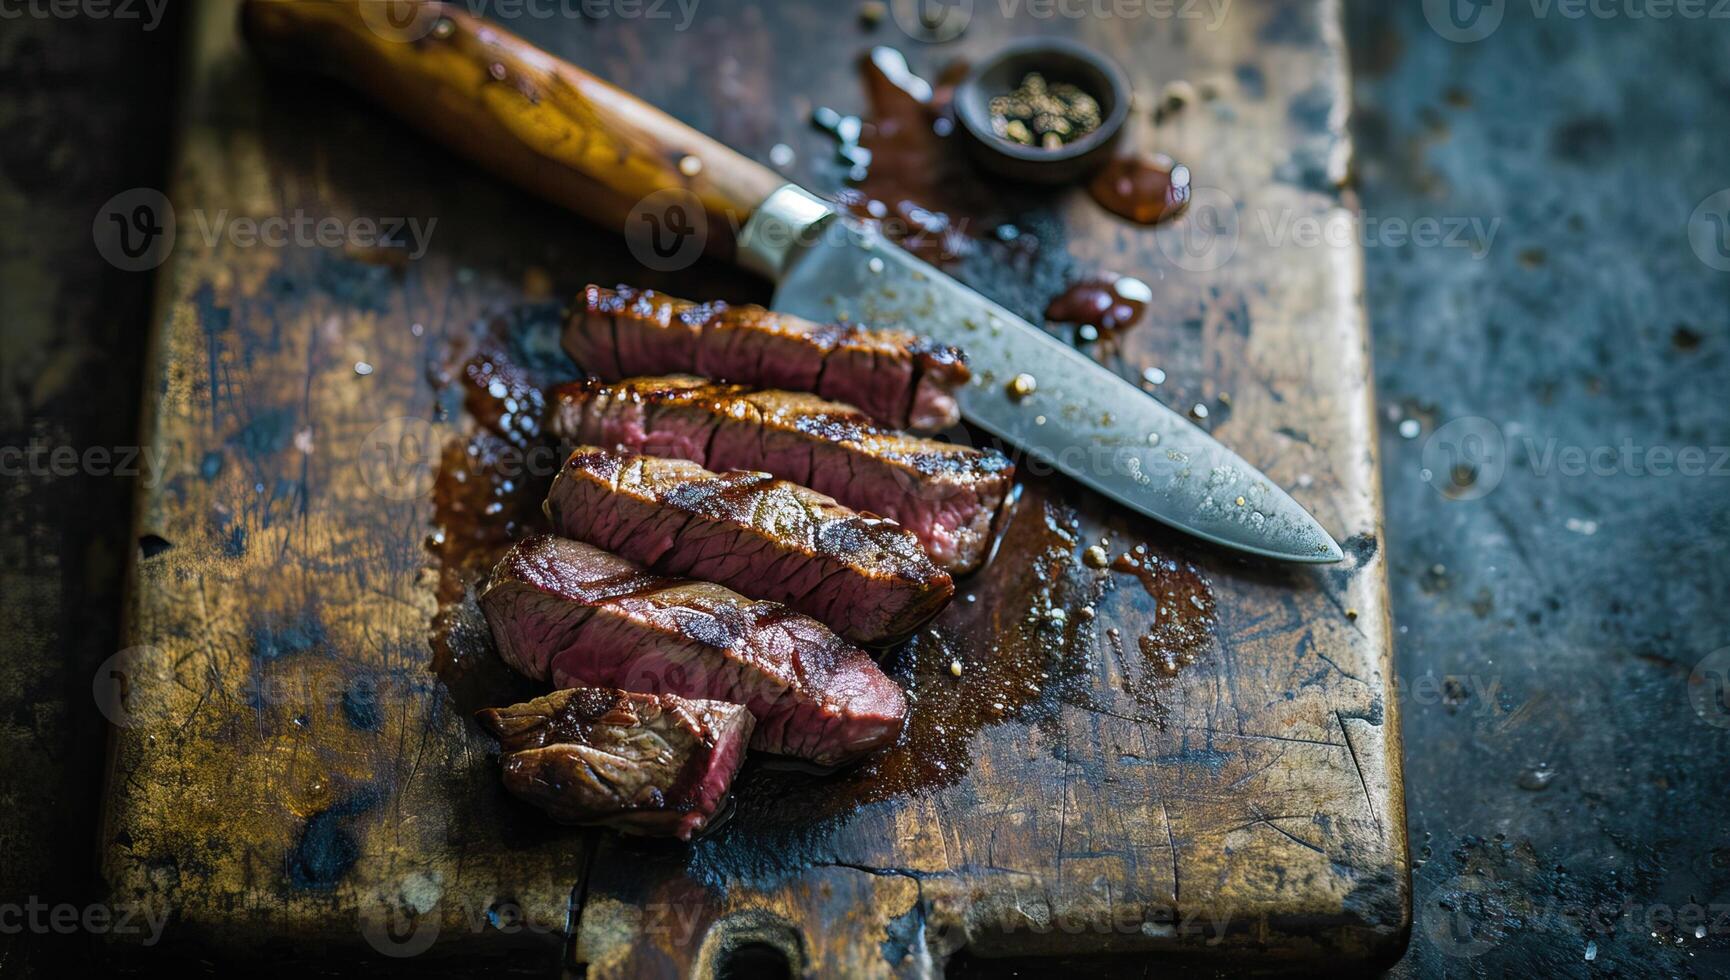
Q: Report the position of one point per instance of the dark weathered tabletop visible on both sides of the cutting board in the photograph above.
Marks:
(1547, 626)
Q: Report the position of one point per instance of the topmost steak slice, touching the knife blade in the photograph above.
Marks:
(902, 380)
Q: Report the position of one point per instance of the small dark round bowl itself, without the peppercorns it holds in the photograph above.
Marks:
(1058, 60)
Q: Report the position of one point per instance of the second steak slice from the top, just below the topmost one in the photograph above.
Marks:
(947, 494)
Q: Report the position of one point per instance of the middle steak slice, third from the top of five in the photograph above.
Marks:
(864, 577)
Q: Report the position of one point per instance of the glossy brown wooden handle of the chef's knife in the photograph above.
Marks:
(541, 122)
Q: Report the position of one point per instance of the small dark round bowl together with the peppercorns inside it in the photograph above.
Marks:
(1044, 110)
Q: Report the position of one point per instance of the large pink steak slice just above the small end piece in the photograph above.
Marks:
(582, 617)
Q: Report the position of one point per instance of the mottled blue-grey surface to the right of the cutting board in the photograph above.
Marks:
(1567, 799)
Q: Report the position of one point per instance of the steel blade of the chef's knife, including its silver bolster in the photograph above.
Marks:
(1079, 420)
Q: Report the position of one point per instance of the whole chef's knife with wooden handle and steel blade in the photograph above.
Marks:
(617, 160)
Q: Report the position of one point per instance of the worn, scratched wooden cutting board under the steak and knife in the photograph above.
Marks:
(292, 780)
